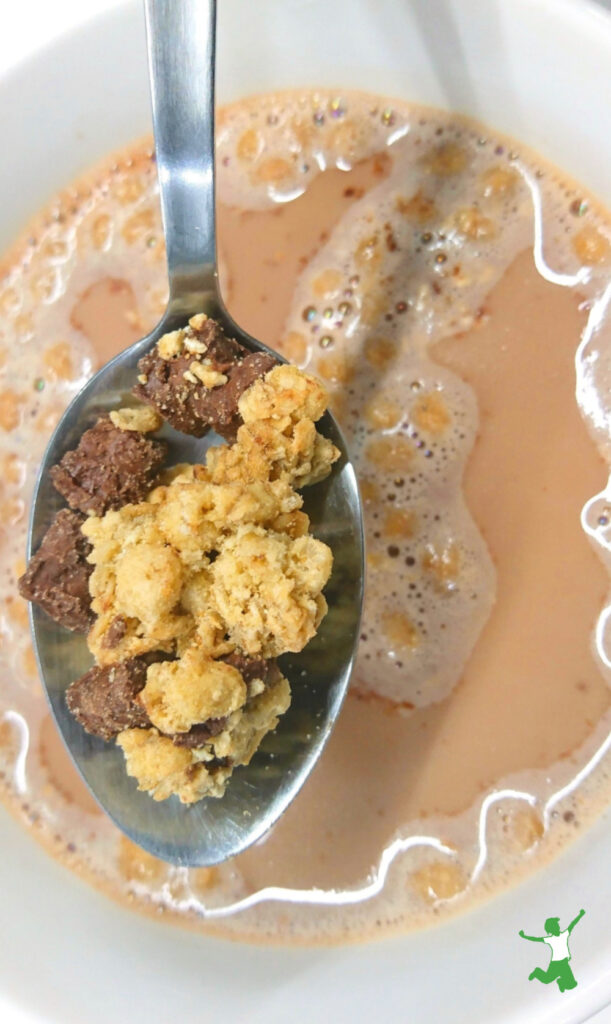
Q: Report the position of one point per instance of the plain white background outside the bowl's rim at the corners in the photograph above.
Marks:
(30, 24)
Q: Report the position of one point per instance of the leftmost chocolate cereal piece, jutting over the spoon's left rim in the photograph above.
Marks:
(58, 577)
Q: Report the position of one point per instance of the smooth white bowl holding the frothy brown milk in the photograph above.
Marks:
(539, 70)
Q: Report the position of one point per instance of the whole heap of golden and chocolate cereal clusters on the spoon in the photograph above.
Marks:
(192, 580)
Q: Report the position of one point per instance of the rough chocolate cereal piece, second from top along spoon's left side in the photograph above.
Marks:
(109, 468)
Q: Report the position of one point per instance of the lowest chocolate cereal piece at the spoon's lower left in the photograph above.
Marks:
(104, 701)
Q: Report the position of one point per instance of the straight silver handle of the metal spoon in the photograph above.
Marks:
(182, 60)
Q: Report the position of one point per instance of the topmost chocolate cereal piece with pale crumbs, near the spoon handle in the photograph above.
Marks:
(195, 378)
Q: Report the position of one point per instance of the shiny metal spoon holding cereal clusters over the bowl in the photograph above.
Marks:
(182, 53)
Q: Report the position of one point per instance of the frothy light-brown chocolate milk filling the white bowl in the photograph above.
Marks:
(452, 292)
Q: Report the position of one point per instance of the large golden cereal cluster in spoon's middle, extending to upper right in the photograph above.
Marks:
(220, 556)
